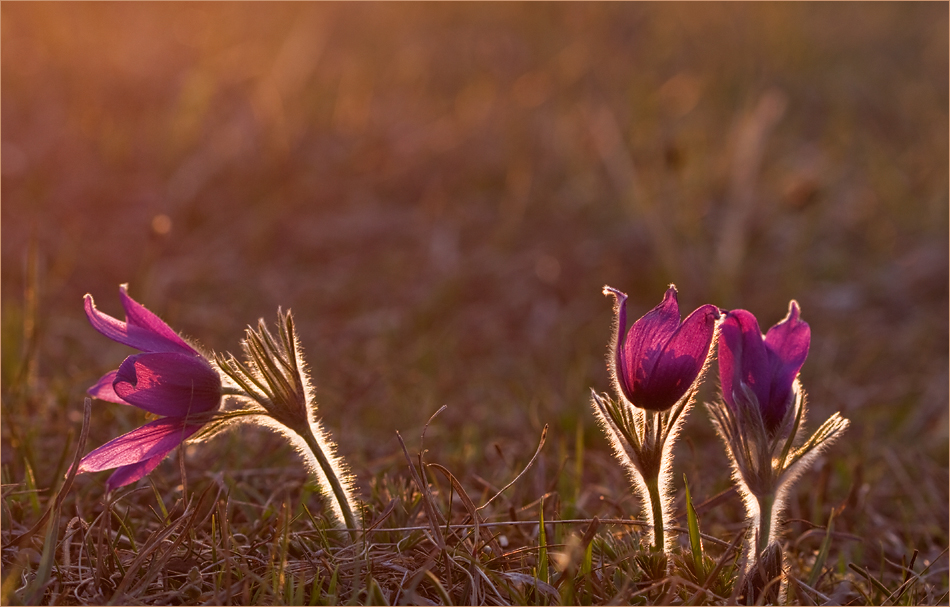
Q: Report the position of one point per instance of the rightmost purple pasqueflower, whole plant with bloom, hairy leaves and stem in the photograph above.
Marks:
(759, 418)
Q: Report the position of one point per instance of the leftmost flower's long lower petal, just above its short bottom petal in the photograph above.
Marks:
(152, 440)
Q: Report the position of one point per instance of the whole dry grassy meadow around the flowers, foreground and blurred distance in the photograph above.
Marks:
(439, 193)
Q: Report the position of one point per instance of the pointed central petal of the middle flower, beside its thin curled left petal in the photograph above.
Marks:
(645, 341)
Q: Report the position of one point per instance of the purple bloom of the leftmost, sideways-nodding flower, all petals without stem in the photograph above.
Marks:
(169, 378)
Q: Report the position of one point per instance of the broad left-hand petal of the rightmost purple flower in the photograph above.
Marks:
(743, 356)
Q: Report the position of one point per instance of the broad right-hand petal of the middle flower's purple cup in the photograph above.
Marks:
(680, 361)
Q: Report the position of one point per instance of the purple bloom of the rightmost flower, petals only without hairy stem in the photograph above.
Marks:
(767, 365)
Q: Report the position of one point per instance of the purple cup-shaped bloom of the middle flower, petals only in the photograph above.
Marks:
(659, 358)
